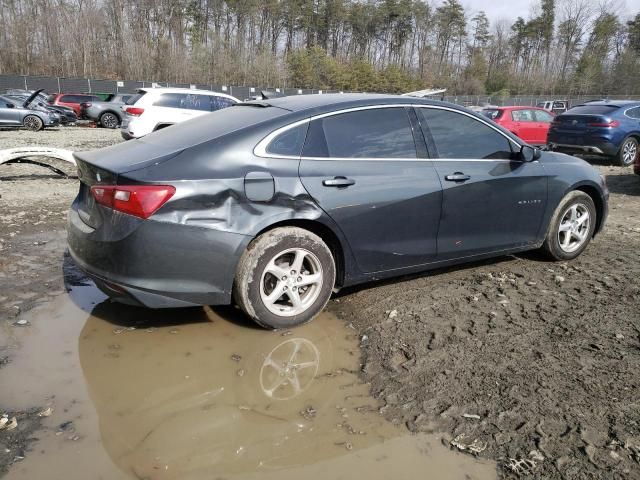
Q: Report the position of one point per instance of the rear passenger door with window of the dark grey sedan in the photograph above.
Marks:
(362, 169)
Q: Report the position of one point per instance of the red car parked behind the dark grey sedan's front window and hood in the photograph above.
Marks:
(531, 124)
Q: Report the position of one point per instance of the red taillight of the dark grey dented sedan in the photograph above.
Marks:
(138, 200)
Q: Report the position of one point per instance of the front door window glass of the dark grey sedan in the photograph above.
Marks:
(459, 136)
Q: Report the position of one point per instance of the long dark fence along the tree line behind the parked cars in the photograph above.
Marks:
(86, 85)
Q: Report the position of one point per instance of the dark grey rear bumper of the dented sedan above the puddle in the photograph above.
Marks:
(157, 264)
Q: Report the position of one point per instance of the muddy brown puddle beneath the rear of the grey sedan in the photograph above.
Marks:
(201, 394)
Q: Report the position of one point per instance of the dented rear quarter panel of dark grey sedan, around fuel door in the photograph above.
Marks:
(211, 191)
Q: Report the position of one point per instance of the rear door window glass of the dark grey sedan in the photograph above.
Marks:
(372, 133)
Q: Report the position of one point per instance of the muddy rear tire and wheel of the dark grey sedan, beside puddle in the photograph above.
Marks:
(284, 278)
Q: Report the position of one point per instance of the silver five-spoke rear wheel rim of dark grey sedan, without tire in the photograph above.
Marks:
(291, 282)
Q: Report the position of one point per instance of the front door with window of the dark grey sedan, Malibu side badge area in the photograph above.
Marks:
(491, 201)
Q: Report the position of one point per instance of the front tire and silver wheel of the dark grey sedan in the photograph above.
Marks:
(571, 227)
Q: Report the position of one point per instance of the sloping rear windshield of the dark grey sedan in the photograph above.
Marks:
(212, 125)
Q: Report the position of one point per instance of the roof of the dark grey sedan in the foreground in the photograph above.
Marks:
(317, 103)
